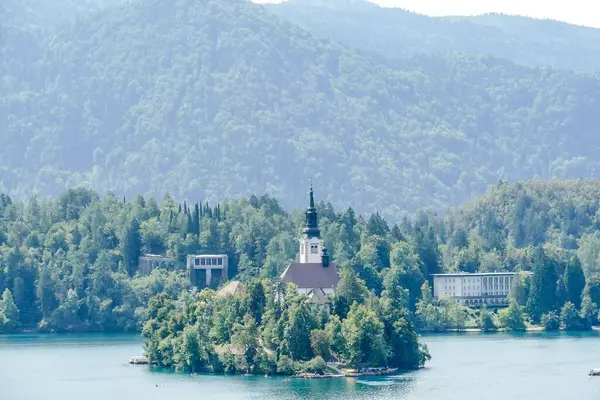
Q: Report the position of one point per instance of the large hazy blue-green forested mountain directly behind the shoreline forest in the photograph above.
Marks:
(212, 99)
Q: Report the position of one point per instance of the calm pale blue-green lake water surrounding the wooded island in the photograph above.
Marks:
(464, 366)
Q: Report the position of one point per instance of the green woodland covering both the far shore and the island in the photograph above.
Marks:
(70, 264)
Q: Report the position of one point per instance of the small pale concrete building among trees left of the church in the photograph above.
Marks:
(208, 270)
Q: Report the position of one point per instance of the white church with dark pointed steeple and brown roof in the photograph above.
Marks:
(313, 274)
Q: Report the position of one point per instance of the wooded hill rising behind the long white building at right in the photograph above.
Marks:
(557, 214)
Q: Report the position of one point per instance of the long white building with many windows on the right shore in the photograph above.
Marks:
(475, 289)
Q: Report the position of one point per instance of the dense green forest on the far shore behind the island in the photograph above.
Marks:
(70, 264)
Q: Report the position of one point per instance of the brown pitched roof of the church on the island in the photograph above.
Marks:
(311, 275)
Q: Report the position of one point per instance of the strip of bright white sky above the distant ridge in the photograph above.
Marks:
(581, 12)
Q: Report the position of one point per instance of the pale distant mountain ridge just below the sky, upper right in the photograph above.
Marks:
(397, 33)
